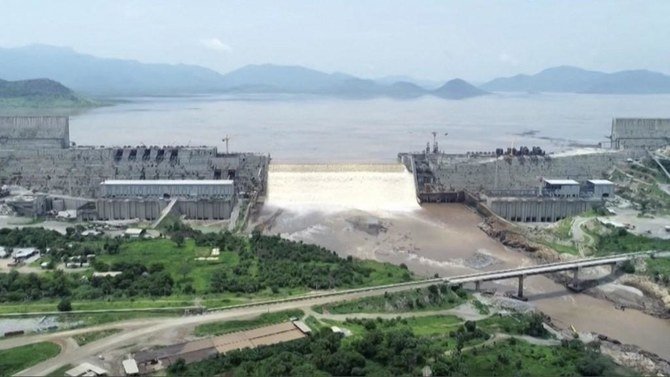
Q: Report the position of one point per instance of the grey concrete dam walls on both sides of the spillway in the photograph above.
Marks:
(149, 182)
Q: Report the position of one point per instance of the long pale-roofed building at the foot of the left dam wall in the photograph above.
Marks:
(165, 189)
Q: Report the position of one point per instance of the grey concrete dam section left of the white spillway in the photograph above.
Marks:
(115, 183)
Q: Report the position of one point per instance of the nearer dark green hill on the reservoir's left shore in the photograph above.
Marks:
(39, 93)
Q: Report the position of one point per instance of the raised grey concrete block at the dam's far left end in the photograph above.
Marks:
(34, 132)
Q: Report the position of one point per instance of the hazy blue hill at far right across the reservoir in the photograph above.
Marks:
(576, 80)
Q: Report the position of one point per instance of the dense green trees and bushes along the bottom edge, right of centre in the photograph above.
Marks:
(403, 347)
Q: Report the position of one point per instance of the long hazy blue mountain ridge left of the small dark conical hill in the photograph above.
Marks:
(115, 77)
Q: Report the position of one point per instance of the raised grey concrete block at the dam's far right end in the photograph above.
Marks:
(640, 133)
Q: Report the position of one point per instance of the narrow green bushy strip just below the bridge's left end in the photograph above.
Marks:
(434, 297)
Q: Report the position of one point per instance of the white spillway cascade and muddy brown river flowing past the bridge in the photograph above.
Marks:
(373, 217)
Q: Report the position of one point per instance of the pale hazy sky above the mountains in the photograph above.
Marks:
(475, 40)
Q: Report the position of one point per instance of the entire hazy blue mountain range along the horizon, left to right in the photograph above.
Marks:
(101, 77)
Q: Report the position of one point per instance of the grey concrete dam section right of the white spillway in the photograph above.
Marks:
(508, 181)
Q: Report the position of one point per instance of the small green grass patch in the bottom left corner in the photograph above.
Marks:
(16, 359)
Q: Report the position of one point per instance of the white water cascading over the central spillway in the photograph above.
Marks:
(366, 187)
